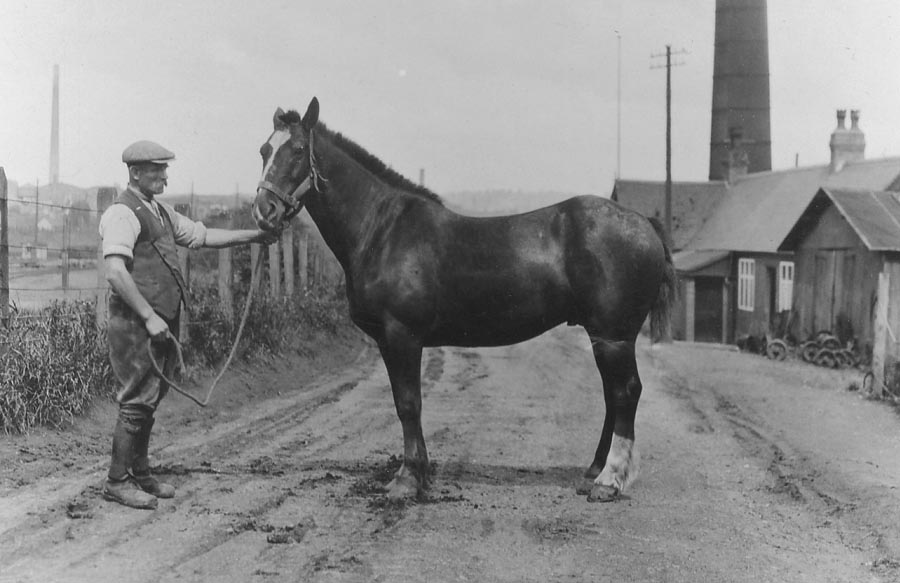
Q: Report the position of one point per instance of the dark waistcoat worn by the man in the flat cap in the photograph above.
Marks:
(155, 268)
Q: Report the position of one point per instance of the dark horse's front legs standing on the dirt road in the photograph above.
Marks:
(403, 359)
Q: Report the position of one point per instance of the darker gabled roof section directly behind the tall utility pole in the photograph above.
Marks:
(692, 203)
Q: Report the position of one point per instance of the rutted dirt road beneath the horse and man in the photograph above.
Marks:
(751, 471)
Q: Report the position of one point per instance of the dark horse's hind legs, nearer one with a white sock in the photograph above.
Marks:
(615, 462)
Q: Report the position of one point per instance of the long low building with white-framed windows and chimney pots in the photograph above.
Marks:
(737, 279)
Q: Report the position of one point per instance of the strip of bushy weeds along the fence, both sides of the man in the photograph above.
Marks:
(54, 361)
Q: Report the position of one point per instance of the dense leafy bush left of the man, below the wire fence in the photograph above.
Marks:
(52, 363)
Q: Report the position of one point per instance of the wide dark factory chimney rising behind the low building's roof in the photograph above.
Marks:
(740, 103)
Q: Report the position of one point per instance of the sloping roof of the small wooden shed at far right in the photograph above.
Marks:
(875, 216)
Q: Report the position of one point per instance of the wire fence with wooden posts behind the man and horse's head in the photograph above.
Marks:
(50, 251)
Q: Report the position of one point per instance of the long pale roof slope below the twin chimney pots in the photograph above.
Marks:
(759, 210)
